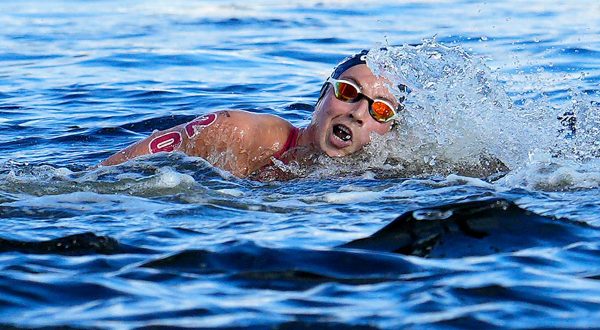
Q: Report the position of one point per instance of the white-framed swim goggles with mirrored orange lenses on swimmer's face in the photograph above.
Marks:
(347, 91)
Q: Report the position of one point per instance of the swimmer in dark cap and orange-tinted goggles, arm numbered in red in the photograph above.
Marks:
(353, 104)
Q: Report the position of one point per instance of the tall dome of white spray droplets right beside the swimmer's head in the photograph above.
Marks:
(457, 114)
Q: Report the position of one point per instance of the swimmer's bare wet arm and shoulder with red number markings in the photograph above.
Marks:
(236, 141)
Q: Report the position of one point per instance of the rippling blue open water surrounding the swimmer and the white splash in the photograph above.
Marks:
(175, 242)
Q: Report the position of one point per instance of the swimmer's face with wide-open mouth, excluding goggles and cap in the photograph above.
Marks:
(343, 128)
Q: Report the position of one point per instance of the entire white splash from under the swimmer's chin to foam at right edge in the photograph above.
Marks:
(458, 119)
